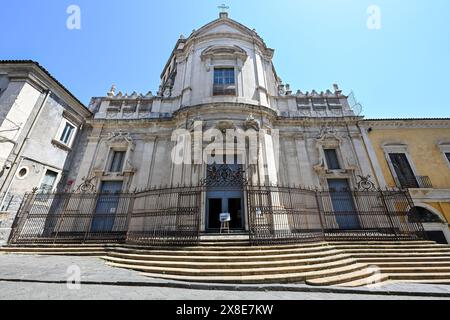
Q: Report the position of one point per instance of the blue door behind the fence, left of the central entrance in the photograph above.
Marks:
(107, 204)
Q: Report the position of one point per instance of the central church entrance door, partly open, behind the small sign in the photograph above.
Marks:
(225, 202)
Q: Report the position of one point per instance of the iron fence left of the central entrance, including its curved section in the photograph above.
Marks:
(159, 216)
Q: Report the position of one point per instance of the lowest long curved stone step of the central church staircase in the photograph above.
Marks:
(260, 278)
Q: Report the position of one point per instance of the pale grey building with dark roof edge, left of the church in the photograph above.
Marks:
(40, 125)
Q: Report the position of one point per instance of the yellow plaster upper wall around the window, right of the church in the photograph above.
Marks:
(423, 147)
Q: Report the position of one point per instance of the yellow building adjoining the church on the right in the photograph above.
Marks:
(415, 154)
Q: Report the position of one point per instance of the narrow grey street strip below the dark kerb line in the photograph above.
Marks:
(39, 291)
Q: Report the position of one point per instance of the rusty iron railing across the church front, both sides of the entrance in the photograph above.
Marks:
(171, 216)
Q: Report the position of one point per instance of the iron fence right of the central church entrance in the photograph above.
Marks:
(287, 214)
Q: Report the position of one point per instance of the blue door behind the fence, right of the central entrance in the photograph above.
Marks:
(343, 204)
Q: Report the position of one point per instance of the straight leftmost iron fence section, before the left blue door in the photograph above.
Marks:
(72, 217)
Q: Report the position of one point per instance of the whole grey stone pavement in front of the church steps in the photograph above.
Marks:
(45, 277)
